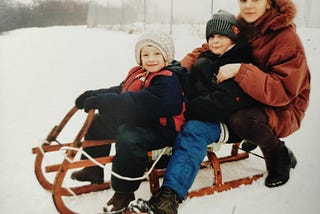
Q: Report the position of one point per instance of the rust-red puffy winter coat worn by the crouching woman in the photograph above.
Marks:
(279, 76)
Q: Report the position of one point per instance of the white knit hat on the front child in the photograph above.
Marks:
(162, 41)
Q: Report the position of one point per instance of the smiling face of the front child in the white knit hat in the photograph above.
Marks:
(152, 59)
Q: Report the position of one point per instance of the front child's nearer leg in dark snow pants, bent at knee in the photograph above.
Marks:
(131, 159)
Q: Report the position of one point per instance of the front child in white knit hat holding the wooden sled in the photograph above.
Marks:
(144, 113)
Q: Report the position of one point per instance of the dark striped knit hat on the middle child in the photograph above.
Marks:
(223, 23)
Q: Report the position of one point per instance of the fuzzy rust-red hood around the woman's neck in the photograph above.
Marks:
(280, 16)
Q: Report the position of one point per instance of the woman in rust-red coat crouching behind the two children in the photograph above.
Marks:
(279, 78)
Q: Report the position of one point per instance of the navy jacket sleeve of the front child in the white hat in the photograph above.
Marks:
(163, 98)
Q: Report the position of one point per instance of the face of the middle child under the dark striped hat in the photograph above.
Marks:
(218, 44)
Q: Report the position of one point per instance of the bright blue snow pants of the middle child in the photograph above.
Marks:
(188, 153)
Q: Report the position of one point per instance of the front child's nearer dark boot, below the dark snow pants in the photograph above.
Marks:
(119, 202)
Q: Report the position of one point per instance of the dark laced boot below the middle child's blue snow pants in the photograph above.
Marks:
(164, 202)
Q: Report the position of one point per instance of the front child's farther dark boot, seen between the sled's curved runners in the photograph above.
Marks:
(94, 174)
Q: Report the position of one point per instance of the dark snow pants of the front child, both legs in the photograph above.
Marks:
(132, 145)
